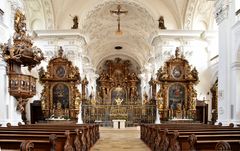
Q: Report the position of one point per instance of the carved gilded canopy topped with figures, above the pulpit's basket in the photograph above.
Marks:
(22, 52)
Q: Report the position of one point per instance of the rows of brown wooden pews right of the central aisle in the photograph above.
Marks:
(178, 136)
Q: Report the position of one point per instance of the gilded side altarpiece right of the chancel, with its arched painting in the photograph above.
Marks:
(177, 96)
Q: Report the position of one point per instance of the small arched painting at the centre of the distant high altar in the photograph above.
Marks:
(118, 93)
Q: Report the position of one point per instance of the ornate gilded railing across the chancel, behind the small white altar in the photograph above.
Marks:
(133, 114)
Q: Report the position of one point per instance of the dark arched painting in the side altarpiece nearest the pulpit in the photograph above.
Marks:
(61, 95)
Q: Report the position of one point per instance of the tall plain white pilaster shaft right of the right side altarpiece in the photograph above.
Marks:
(224, 105)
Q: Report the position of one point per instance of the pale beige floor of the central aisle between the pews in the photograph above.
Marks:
(127, 139)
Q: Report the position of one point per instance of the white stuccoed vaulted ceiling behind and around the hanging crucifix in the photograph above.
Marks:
(138, 26)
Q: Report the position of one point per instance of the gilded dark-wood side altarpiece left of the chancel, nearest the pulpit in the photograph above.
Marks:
(60, 97)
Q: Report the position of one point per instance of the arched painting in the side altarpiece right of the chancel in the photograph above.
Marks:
(176, 96)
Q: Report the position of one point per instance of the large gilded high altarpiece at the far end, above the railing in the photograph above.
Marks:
(117, 81)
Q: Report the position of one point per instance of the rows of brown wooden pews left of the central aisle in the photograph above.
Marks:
(80, 137)
